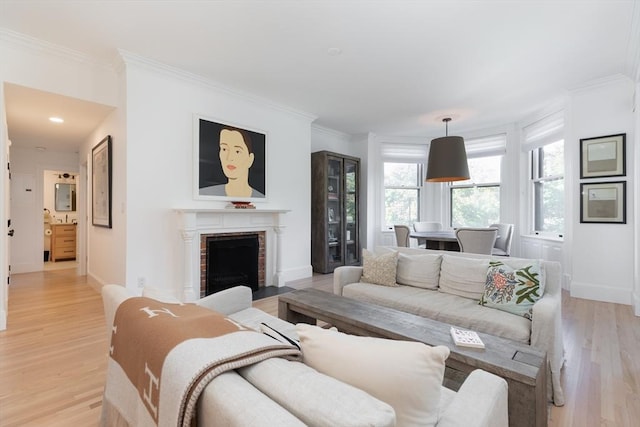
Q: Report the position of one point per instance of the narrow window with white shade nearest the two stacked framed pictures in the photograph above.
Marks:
(544, 145)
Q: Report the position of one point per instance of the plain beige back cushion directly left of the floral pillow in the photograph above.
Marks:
(464, 277)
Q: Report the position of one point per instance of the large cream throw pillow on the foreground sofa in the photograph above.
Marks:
(406, 375)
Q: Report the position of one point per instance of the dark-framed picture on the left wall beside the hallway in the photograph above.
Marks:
(101, 181)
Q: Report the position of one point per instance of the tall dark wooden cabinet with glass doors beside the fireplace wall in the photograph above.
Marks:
(335, 211)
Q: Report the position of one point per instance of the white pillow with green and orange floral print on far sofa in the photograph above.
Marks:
(513, 290)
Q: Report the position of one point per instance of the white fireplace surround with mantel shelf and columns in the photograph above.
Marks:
(193, 223)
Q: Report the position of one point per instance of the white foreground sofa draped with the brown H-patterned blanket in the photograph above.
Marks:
(289, 393)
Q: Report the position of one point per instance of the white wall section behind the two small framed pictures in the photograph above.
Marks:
(603, 255)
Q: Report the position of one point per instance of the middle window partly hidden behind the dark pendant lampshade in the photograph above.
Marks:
(476, 202)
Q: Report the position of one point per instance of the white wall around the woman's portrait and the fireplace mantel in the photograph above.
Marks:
(161, 104)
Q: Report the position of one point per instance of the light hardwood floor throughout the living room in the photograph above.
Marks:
(53, 355)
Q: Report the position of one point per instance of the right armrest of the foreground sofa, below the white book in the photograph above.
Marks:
(481, 402)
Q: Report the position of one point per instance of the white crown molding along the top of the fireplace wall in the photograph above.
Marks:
(155, 66)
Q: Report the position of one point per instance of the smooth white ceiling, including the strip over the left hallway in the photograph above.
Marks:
(389, 67)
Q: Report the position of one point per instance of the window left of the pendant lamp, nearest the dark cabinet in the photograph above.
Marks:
(402, 184)
